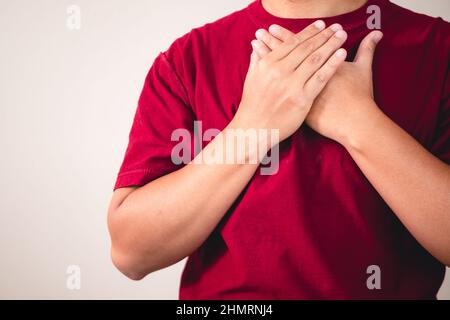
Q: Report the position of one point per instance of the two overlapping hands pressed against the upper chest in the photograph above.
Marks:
(300, 77)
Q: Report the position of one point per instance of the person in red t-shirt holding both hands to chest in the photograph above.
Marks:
(359, 207)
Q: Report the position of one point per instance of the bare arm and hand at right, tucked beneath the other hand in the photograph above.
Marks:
(412, 181)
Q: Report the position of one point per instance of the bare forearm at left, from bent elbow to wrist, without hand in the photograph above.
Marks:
(166, 220)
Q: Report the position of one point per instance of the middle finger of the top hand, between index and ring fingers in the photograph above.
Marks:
(305, 49)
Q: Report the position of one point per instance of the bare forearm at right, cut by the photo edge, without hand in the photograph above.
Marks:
(414, 183)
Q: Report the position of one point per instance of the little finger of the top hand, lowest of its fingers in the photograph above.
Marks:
(318, 81)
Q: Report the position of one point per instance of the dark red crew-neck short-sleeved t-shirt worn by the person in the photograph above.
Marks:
(311, 230)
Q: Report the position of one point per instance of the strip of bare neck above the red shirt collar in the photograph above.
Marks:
(310, 8)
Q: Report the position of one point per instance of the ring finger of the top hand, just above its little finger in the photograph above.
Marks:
(317, 59)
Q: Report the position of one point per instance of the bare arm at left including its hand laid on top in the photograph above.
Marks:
(164, 221)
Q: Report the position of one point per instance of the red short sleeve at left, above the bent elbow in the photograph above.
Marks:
(163, 107)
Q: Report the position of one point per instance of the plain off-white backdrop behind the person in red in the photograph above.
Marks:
(67, 99)
